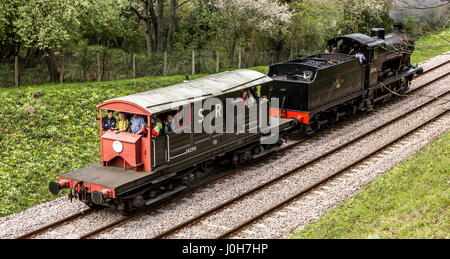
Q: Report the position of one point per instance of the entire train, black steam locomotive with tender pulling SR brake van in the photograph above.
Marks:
(313, 93)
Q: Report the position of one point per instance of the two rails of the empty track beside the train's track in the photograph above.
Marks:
(283, 176)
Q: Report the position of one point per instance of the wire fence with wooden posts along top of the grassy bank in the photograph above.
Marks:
(112, 64)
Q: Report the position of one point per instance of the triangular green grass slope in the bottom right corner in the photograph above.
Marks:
(411, 201)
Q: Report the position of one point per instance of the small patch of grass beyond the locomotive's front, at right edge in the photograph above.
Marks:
(431, 45)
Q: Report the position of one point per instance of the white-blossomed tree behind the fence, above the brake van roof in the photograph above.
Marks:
(239, 18)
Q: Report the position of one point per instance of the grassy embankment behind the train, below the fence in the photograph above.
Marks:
(50, 129)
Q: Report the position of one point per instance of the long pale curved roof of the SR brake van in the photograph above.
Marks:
(163, 99)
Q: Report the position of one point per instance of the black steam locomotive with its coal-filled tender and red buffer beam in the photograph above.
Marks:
(319, 90)
